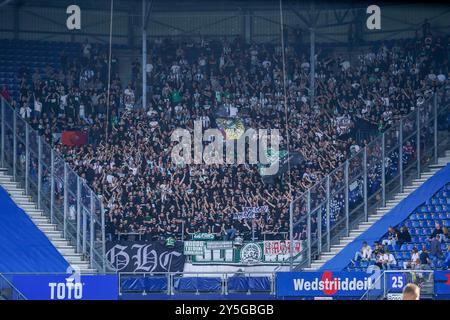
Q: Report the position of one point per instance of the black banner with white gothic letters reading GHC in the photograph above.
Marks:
(155, 256)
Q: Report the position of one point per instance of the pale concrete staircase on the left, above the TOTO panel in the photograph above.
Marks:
(76, 260)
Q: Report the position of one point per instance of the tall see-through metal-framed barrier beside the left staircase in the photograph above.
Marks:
(63, 196)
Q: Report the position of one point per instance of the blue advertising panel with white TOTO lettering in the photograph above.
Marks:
(67, 287)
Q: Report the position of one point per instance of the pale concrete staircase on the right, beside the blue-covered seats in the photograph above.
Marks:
(379, 213)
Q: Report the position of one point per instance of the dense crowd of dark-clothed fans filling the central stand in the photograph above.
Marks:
(128, 158)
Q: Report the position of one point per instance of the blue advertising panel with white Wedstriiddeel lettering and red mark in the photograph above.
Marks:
(323, 284)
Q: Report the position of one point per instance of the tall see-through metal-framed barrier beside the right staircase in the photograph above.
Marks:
(342, 199)
